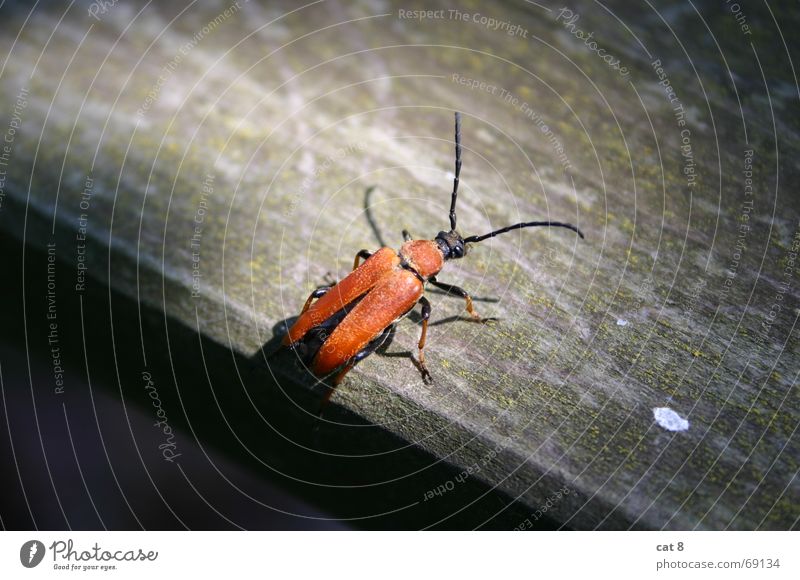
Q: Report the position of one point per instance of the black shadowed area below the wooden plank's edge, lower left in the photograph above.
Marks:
(83, 448)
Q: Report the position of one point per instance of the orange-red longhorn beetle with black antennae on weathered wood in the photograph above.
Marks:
(343, 323)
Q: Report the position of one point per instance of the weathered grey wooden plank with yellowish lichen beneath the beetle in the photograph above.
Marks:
(250, 165)
